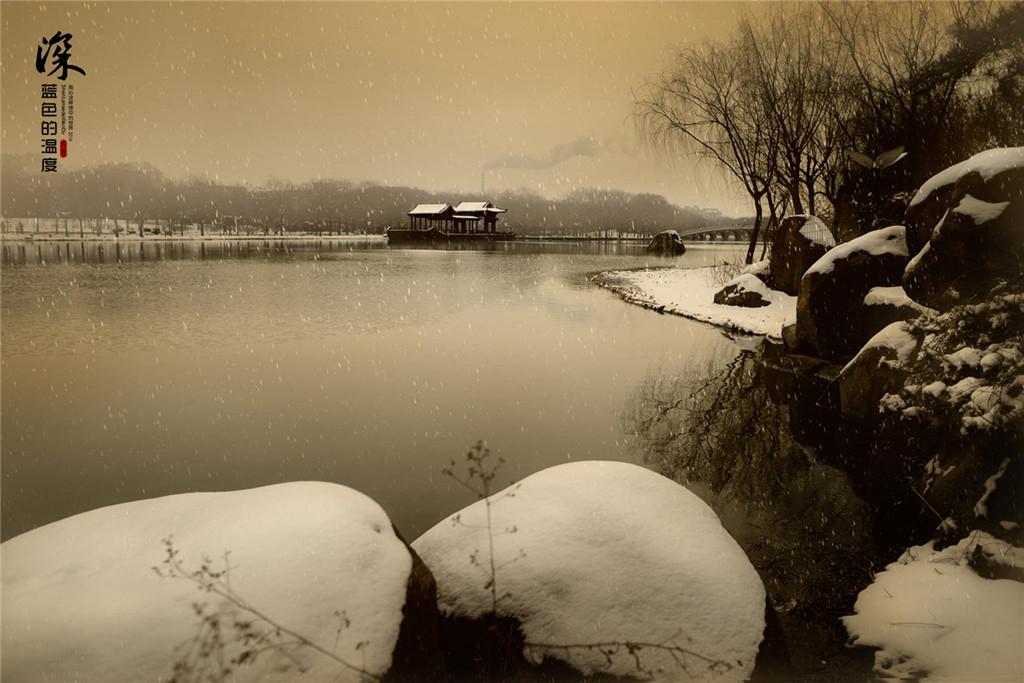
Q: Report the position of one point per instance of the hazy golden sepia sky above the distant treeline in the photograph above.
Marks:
(445, 97)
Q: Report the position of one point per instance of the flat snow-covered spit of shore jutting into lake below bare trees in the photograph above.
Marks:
(691, 292)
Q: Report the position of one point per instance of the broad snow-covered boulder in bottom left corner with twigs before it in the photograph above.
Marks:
(82, 603)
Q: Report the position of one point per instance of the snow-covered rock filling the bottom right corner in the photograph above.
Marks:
(930, 614)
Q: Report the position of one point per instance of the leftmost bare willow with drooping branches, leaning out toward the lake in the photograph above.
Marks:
(704, 104)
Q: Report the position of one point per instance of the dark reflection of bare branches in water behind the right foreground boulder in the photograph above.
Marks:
(718, 433)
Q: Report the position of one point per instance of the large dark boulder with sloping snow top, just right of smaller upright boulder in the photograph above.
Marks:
(831, 317)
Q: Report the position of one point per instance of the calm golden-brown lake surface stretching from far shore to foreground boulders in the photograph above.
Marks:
(140, 370)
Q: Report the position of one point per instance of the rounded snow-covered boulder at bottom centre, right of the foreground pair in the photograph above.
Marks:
(592, 553)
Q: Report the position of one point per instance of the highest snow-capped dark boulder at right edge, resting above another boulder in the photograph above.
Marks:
(992, 177)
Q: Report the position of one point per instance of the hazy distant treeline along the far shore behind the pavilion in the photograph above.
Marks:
(137, 194)
